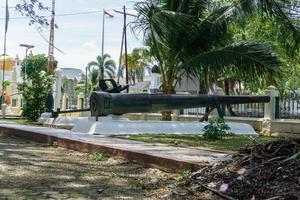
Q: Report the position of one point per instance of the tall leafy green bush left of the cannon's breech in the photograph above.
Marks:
(35, 89)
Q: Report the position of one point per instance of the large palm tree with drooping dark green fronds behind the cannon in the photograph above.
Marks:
(191, 37)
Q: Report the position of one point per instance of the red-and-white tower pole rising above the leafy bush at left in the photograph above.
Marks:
(50, 66)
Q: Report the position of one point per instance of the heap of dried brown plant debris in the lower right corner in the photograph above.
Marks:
(268, 170)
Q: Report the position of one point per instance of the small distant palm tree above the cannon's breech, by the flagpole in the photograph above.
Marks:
(107, 66)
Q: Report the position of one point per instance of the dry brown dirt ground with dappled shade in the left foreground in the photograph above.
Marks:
(30, 170)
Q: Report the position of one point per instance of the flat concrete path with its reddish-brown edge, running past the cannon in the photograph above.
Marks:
(161, 155)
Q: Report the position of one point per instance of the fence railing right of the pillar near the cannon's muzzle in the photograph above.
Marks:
(287, 108)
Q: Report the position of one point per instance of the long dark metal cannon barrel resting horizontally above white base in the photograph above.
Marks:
(103, 103)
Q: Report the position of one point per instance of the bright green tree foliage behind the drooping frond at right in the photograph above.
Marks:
(266, 29)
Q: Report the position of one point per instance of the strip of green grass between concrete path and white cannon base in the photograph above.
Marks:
(230, 143)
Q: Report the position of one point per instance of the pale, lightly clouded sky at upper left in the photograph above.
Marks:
(78, 36)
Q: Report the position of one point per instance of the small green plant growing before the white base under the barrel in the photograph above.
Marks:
(216, 129)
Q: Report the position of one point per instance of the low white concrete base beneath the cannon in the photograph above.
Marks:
(118, 125)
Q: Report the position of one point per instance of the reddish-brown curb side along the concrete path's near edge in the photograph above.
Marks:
(150, 160)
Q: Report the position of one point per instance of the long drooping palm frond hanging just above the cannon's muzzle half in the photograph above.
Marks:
(249, 58)
